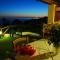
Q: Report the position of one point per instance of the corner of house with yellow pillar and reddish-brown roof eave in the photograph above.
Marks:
(53, 11)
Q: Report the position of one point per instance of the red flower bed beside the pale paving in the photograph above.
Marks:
(25, 50)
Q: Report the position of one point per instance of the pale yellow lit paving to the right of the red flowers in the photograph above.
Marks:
(42, 46)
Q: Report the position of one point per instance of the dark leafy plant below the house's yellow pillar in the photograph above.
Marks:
(55, 36)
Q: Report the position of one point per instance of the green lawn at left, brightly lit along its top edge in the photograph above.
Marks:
(6, 47)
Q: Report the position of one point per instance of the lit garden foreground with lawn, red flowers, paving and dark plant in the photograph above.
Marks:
(37, 49)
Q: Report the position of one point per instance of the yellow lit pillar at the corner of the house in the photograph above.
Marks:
(51, 13)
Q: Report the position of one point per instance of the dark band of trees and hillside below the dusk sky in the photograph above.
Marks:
(33, 25)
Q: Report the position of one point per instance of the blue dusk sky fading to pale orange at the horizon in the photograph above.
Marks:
(23, 8)
